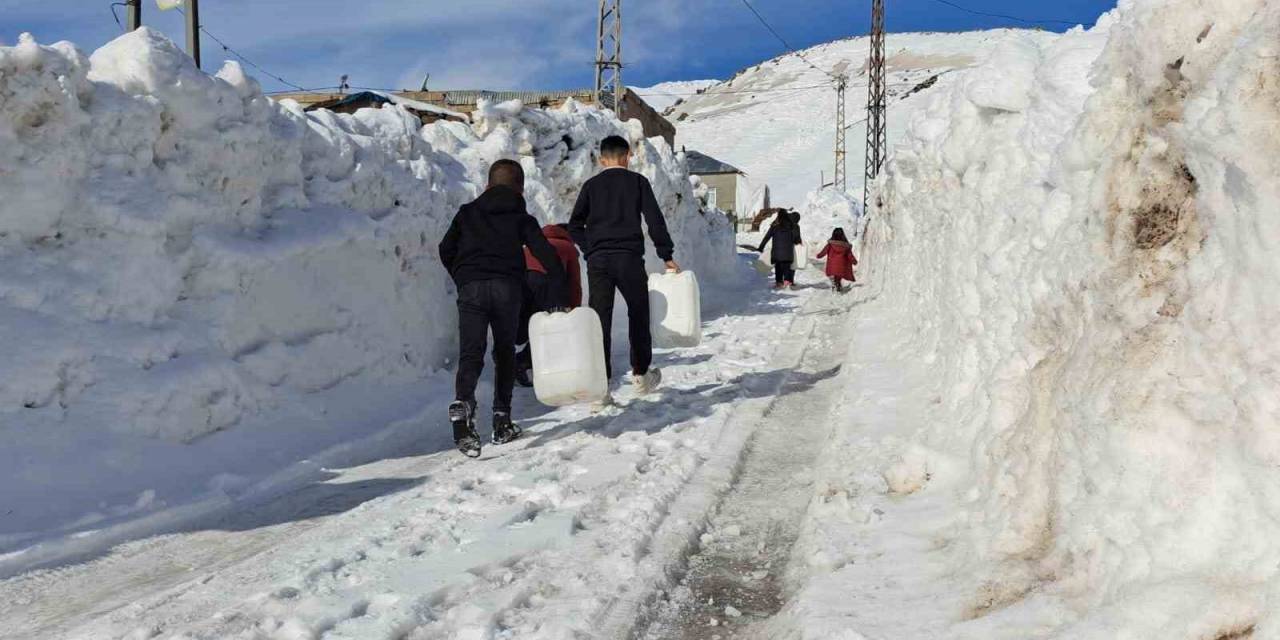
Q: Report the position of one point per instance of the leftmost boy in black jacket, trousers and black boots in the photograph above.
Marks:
(484, 252)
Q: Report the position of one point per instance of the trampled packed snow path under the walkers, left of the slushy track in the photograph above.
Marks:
(569, 533)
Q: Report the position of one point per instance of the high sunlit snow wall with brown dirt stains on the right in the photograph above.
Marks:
(1084, 234)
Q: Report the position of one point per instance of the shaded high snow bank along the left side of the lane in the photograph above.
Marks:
(180, 255)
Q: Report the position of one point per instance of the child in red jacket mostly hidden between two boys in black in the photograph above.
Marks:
(538, 292)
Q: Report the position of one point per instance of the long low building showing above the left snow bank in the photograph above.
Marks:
(458, 106)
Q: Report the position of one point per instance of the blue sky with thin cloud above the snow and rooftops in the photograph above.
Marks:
(510, 44)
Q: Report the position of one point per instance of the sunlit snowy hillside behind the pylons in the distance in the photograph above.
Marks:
(778, 121)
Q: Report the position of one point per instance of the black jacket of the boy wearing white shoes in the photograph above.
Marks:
(607, 216)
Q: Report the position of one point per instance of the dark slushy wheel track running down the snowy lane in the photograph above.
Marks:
(737, 579)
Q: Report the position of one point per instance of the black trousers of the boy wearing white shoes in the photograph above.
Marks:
(627, 275)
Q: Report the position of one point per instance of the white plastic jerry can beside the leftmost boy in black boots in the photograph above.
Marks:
(569, 358)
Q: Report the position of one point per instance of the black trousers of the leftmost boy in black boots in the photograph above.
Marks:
(487, 305)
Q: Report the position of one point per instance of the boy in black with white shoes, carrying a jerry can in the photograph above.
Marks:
(606, 223)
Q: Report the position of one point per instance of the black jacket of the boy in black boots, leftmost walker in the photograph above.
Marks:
(488, 237)
